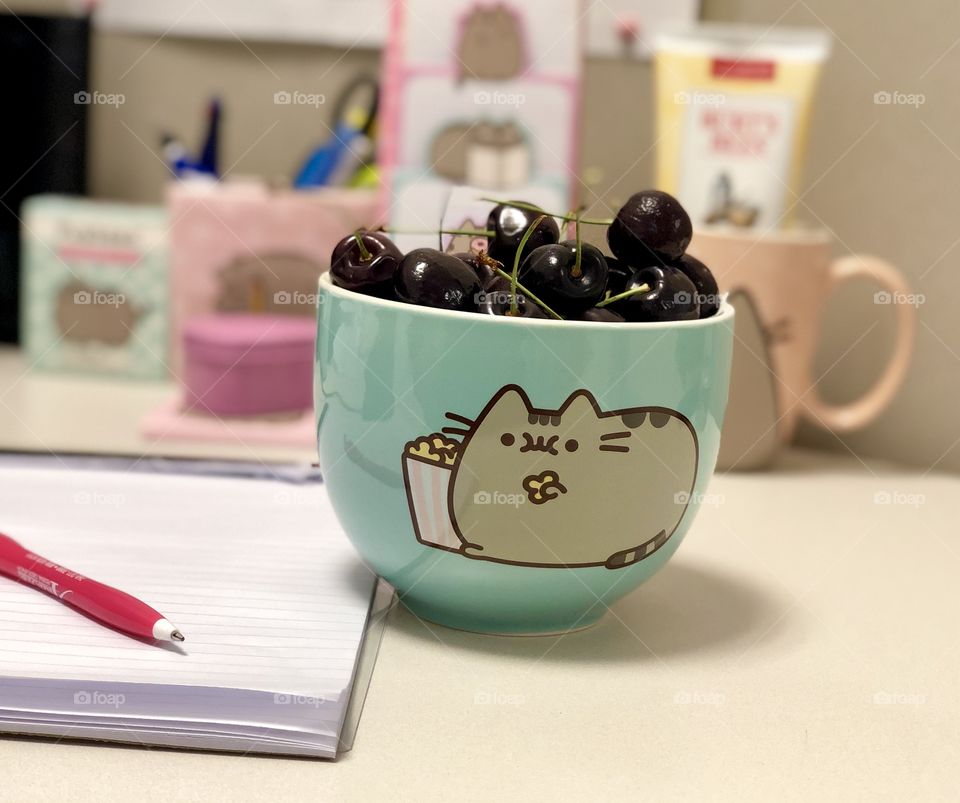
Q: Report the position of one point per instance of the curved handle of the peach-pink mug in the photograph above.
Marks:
(855, 414)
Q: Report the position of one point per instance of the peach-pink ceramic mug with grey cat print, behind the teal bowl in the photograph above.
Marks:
(778, 282)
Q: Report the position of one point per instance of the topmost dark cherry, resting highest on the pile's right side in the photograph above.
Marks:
(651, 228)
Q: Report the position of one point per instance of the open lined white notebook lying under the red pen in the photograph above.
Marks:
(256, 573)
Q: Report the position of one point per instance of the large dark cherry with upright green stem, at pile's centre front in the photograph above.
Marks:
(551, 272)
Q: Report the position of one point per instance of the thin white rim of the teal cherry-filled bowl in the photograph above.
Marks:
(326, 285)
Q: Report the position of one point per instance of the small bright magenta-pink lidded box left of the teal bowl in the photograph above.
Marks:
(247, 365)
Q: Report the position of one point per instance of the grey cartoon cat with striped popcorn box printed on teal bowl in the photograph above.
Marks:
(572, 487)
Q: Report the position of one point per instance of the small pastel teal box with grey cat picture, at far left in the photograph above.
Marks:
(94, 294)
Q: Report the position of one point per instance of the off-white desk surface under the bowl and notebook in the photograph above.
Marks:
(802, 645)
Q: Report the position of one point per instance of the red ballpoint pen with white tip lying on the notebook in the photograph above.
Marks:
(102, 602)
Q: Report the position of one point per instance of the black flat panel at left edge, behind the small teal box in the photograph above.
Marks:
(43, 129)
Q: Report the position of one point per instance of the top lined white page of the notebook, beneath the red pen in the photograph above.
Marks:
(256, 573)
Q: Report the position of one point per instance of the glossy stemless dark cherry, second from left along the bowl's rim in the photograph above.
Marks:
(433, 279)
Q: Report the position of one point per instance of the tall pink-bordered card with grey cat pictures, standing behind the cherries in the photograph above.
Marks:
(478, 93)
